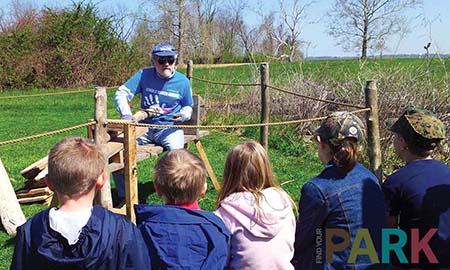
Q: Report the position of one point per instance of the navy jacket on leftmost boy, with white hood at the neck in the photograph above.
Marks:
(108, 241)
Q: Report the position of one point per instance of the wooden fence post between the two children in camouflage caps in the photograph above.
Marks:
(373, 129)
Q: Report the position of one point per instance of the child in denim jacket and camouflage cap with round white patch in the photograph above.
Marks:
(344, 196)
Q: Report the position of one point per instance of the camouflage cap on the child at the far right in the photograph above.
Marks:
(422, 122)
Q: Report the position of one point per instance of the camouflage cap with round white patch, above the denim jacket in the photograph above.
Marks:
(340, 125)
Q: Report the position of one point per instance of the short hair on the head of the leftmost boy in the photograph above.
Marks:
(74, 165)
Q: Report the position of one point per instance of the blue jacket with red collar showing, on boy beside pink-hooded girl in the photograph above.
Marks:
(179, 238)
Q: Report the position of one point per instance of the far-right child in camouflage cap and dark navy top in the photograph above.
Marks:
(418, 194)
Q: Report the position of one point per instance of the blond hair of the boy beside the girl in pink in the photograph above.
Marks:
(180, 176)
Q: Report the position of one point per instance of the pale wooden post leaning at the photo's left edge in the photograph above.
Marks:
(10, 212)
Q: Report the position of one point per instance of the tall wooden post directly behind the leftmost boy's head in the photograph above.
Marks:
(101, 137)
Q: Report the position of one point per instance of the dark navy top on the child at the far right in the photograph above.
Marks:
(420, 194)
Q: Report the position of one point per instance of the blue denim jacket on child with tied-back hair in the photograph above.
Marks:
(334, 200)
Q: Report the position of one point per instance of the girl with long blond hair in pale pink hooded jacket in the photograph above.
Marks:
(257, 211)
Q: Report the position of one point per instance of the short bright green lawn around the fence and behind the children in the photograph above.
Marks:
(34, 115)
